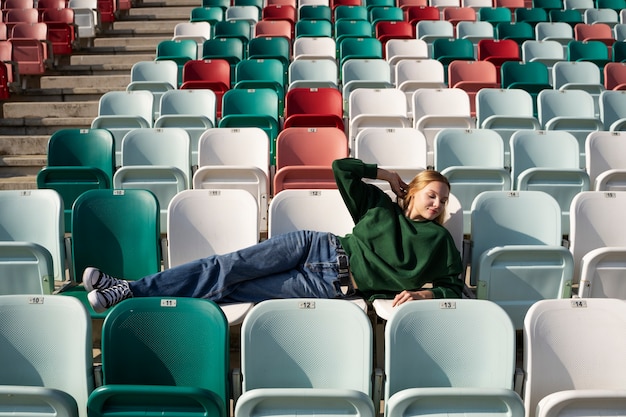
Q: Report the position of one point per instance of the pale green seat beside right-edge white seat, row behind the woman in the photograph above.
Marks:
(548, 161)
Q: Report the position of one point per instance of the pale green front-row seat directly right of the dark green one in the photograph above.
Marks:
(306, 357)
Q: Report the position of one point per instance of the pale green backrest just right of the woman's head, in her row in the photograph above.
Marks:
(500, 218)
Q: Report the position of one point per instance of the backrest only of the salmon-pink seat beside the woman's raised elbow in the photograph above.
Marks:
(310, 146)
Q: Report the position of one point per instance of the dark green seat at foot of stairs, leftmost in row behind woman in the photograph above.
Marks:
(78, 160)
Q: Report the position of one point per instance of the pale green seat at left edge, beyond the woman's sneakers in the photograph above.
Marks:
(32, 255)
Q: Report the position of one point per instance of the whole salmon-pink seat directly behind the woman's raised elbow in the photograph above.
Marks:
(304, 157)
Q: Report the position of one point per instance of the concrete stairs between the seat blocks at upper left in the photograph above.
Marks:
(67, 95)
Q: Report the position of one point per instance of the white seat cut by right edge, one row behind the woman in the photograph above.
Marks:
(605, 163)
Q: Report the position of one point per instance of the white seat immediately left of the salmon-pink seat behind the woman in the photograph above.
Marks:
(236, 158)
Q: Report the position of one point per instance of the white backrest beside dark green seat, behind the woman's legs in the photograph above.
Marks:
(232, 225)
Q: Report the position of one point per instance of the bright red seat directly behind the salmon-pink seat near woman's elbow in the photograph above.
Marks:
(314, 107)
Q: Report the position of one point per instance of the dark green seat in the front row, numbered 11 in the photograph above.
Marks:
(163, 356)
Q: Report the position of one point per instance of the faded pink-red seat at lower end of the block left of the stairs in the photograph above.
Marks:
(30, 49)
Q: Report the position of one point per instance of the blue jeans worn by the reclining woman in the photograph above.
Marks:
(292, 265)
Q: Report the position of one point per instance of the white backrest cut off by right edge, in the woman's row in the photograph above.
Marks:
(593, 223)
